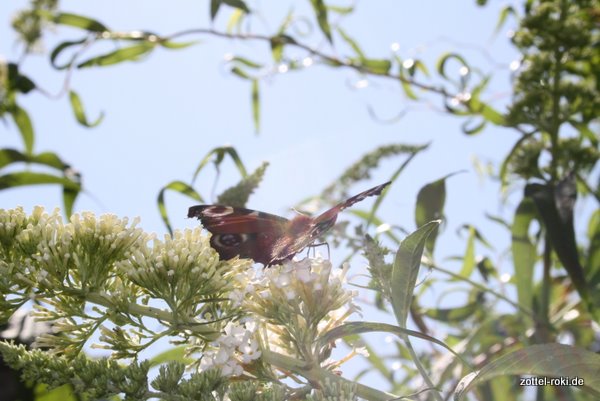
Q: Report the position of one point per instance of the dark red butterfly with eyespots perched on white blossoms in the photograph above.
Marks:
(263, 237)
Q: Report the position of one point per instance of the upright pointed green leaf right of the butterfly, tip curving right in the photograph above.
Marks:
(406, 268)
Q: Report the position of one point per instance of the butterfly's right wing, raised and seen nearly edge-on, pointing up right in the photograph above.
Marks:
(303, 231)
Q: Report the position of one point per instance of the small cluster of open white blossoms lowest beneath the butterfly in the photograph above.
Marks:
(236, 346)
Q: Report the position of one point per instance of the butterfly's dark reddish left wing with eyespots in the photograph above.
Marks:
(238, 231)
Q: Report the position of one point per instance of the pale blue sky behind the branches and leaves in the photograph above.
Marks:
(165, 113)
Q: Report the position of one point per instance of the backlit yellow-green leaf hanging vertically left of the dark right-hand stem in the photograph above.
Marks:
(523, 251)
